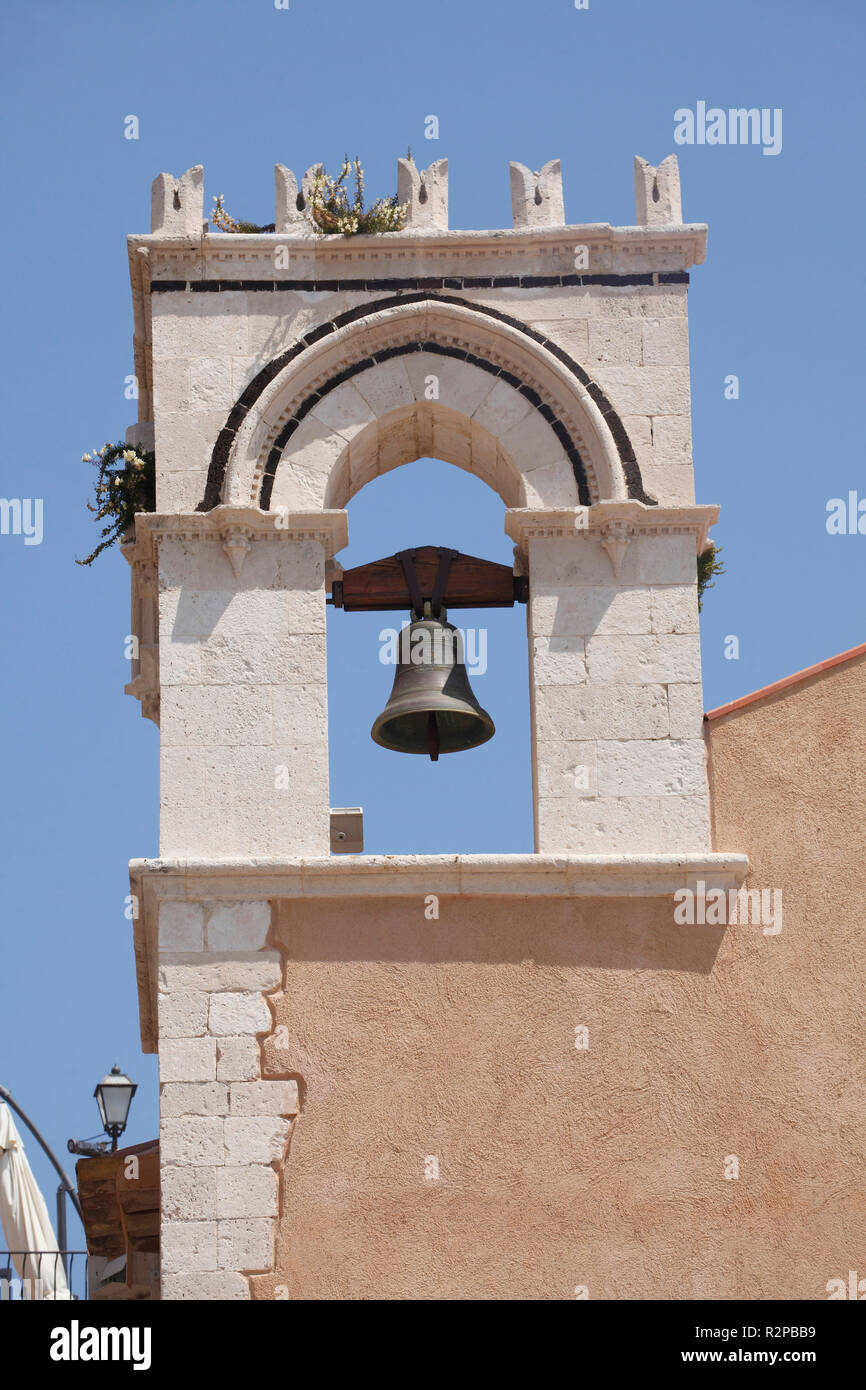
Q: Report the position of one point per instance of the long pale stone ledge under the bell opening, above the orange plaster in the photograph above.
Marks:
(155, 882)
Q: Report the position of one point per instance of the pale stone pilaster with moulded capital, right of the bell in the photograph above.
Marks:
(615, 679)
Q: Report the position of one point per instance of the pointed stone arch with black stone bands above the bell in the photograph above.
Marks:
(418, 375)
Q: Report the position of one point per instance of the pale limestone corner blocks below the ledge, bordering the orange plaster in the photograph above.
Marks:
(223, 1131)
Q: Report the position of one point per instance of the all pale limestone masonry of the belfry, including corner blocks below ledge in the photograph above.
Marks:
(279, 373)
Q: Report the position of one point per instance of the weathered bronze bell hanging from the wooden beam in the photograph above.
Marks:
(432, 708)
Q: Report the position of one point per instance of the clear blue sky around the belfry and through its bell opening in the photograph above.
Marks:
(237, 87)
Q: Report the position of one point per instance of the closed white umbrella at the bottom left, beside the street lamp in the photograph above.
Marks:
(27, 1227)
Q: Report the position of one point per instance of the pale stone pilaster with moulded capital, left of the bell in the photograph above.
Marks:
(243, 679)
